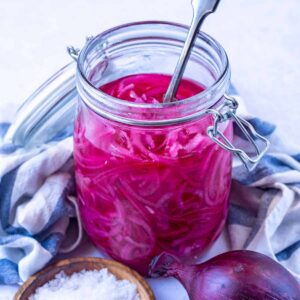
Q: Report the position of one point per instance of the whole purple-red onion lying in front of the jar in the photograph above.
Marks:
(234, 275)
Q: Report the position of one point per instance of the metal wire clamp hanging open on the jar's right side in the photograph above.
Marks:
(226, 112)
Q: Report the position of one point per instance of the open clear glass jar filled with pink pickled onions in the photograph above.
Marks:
(149, 178)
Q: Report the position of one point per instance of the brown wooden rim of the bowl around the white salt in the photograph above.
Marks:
(70, 266)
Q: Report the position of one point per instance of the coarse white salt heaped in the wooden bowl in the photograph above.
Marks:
(92, 285)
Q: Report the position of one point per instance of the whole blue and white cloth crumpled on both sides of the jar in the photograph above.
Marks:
(264, 211)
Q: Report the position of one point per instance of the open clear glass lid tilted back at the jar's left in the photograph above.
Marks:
(48, 114)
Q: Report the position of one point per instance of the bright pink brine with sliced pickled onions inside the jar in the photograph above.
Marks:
(147, 190)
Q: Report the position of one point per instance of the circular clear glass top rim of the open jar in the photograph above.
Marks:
(87, 85)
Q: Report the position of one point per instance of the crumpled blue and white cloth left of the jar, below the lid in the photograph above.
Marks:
(34, 212)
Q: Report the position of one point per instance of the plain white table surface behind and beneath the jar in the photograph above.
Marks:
(260, 37)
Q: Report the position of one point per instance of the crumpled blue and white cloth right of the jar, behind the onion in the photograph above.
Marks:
(264, 212)
